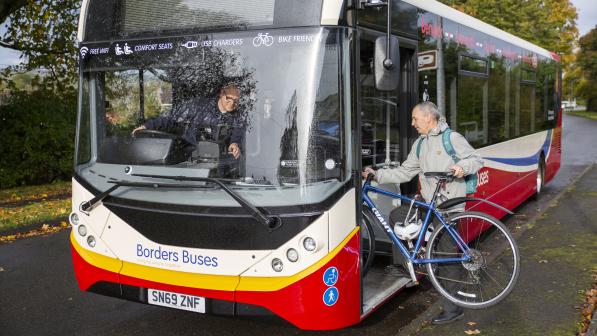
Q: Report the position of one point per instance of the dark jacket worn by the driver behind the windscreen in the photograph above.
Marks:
(199, 118)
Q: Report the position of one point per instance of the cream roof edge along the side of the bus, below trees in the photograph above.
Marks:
(450, 13)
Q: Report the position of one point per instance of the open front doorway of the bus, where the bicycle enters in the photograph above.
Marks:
(386, 137)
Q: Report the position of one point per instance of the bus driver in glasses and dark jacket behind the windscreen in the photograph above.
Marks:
(207, 114)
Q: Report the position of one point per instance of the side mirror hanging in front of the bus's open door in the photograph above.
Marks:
(387, 68)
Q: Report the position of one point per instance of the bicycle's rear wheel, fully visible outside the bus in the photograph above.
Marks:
(493, 270)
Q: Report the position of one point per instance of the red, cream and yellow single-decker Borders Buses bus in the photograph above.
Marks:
(325, 88)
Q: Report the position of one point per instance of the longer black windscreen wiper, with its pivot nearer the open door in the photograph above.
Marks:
(270, 222)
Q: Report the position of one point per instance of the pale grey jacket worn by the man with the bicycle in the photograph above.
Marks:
(433, 158)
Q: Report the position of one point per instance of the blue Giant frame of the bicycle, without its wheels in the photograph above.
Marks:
(430, 209)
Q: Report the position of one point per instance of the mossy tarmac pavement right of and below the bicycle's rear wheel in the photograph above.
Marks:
(558, 264)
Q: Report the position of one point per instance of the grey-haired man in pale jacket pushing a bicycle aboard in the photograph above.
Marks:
(428, 154)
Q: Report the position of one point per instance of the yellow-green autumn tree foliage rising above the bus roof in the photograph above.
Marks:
(547, 23)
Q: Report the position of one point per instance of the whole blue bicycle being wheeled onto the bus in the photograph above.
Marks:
(471, 258)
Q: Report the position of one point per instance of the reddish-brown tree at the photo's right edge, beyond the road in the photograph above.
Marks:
(587, 63)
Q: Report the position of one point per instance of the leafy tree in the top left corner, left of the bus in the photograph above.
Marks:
(44, 31)
